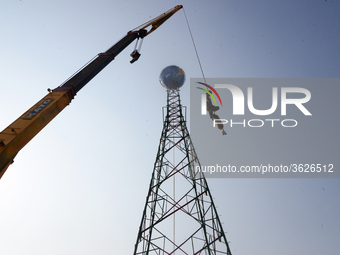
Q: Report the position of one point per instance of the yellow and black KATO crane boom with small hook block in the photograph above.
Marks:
(21, 131)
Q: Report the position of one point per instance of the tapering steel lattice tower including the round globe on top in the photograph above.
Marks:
(179, 216)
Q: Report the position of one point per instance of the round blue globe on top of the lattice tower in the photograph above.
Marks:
(172, 77)
